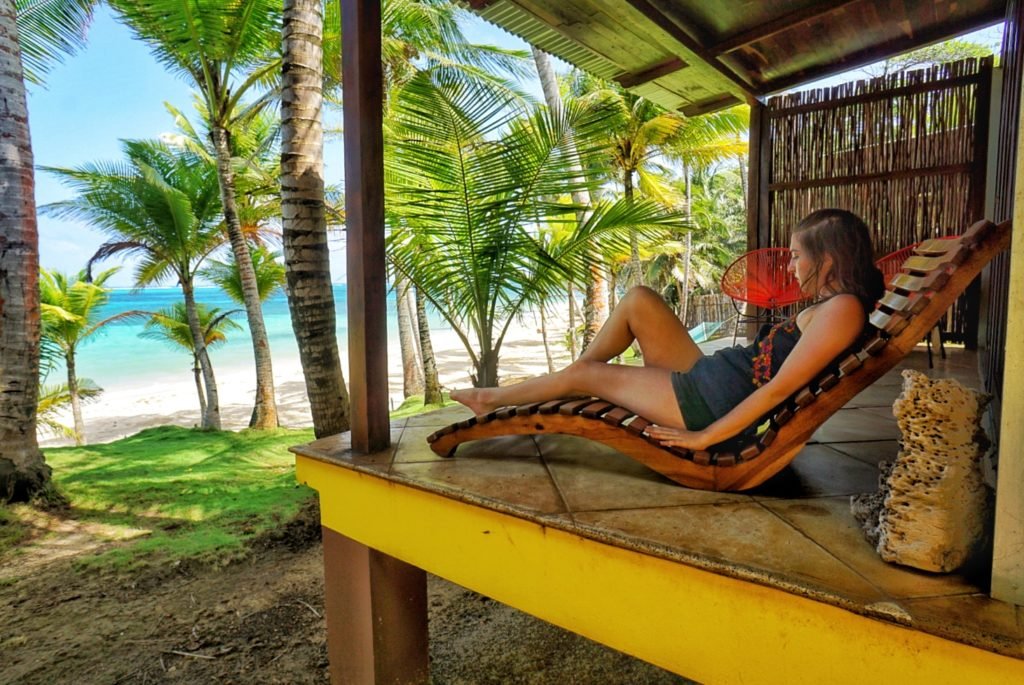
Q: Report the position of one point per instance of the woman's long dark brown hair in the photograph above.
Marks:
(845, 238)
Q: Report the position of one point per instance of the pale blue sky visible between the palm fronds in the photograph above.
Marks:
(114, 91)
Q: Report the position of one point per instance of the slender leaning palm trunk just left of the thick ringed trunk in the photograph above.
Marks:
(266, 408)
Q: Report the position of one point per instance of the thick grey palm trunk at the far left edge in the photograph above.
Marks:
(23, 470)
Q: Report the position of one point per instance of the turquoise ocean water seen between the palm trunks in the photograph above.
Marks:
(117, 357)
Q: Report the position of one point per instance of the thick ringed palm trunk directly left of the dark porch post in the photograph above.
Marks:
(311, 295)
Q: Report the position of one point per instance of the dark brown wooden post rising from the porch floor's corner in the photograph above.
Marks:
(365, 223)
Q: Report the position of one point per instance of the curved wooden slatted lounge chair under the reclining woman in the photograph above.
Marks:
(930, 281)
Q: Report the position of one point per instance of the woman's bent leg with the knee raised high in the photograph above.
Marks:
(644, 316)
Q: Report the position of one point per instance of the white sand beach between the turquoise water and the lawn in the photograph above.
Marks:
(125, 410)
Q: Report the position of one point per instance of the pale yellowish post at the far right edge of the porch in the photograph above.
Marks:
(1008, 546)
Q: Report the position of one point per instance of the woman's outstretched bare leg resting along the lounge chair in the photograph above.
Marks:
(645, 391)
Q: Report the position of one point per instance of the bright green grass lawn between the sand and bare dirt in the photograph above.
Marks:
(172, 493)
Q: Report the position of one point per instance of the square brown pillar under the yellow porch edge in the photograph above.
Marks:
(376, 616)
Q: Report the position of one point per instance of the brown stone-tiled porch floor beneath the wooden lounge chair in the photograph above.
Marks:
(796, 532)
